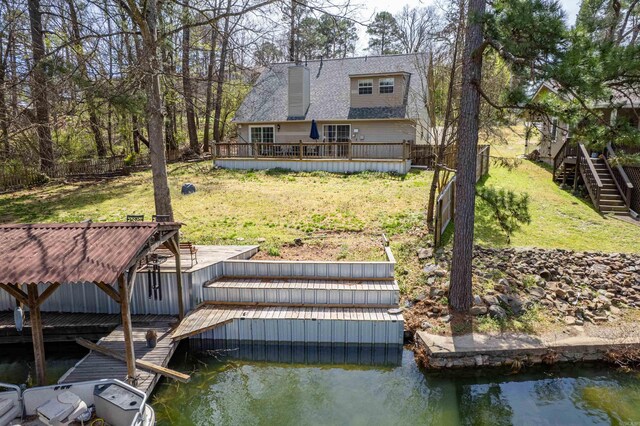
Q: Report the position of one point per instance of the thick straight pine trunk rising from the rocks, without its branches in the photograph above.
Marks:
(460, 290)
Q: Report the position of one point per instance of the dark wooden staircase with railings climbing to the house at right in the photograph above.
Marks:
(607, 184)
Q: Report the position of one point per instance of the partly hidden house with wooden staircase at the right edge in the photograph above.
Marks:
(612, 187)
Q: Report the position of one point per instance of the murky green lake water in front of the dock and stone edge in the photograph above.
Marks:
(233, 392)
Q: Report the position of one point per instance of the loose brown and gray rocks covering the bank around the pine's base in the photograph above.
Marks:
(576, 287)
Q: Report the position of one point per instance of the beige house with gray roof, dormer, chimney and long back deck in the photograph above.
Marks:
(367, 112)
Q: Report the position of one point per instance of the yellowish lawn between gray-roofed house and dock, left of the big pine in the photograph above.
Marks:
(346, 214)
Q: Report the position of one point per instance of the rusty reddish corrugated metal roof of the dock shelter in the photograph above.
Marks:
(72, 252)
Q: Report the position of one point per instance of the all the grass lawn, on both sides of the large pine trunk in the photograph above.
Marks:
(338, 216)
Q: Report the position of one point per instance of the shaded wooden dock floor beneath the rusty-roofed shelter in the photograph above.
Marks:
(66, 327)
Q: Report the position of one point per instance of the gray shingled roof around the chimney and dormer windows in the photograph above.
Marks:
(330, 89)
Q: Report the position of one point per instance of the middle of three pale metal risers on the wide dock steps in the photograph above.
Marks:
(316, 296)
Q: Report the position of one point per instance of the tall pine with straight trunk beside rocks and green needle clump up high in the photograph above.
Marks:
(528, 35)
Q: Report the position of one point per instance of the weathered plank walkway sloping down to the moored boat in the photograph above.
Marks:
(96, 366)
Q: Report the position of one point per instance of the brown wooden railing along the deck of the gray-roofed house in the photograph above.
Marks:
(315, 150)
